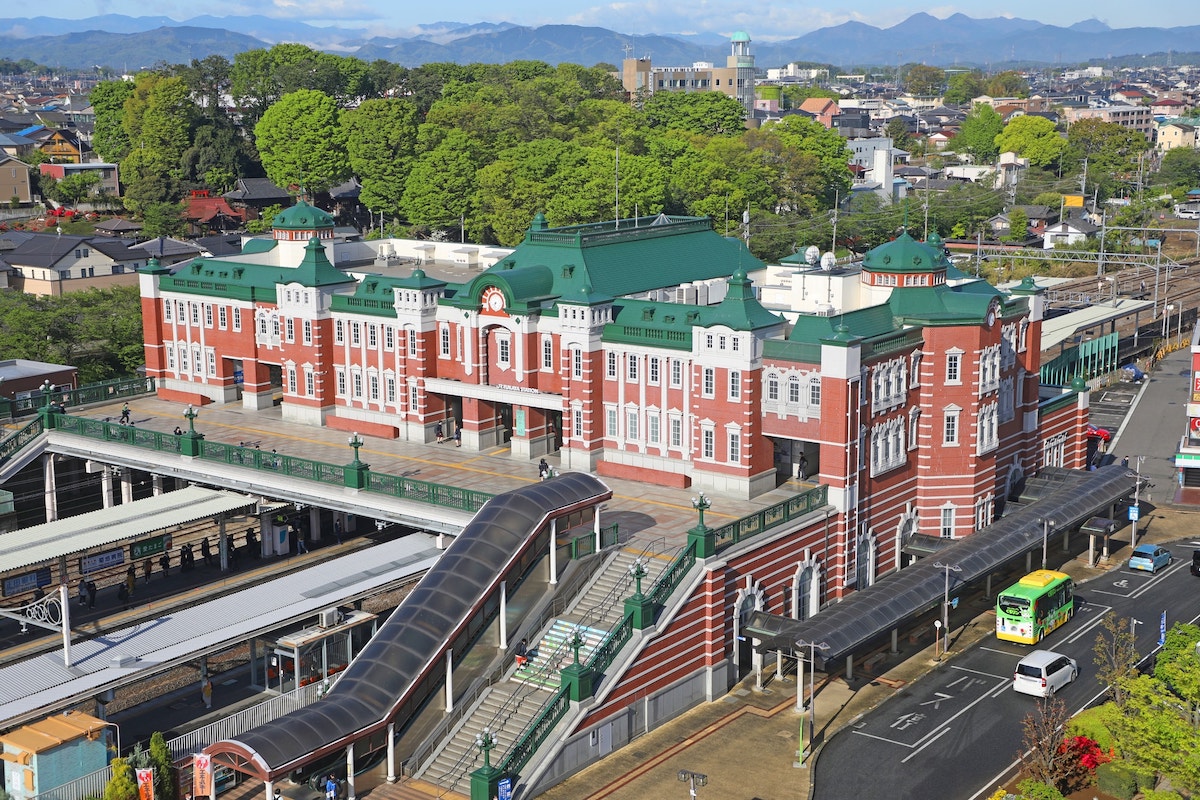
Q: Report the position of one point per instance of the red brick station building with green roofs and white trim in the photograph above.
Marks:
(651, 350)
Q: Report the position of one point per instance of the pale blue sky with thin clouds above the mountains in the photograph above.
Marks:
(763, 21)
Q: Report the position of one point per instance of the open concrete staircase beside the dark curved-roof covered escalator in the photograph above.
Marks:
(509, 708)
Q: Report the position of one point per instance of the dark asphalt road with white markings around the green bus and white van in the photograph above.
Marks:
(956, 731)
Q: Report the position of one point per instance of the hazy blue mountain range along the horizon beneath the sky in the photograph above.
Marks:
(122, 43)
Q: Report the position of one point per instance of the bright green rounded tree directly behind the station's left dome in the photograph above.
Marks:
(302, 142)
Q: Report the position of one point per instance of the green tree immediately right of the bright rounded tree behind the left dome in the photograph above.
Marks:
(381, 137)
